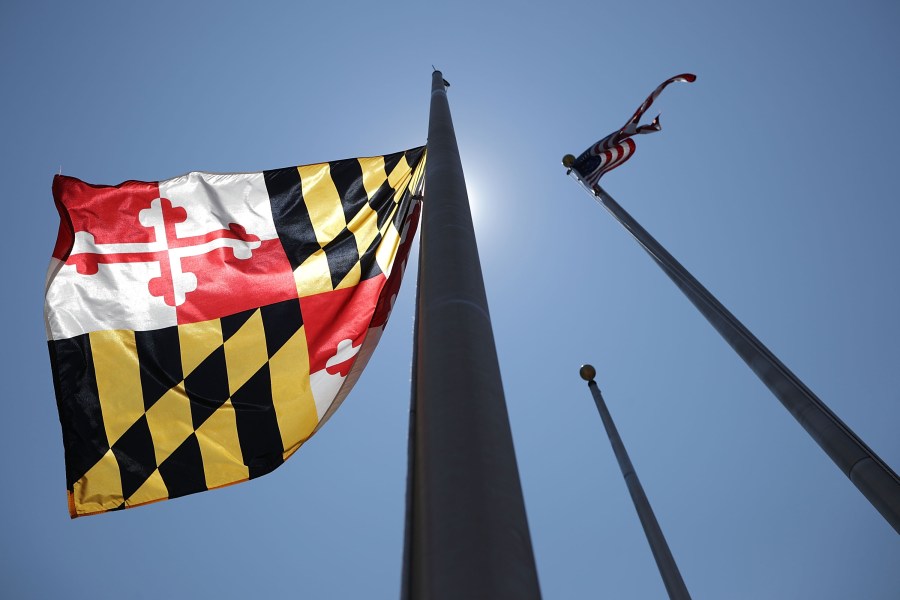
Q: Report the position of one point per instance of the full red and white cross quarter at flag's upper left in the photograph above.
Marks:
(151, 255)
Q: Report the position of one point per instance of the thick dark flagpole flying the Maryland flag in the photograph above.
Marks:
(467, 532)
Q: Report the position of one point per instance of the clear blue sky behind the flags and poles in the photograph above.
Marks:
(773, 181)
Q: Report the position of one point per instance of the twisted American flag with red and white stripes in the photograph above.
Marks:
(616, 148)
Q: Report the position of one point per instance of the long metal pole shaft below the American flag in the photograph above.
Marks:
(871, 475)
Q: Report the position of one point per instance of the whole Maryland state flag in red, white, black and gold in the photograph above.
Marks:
(202, 328)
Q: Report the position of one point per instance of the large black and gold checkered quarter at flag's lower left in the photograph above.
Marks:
(170, 412)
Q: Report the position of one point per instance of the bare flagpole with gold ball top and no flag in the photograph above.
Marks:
(664, 560)
